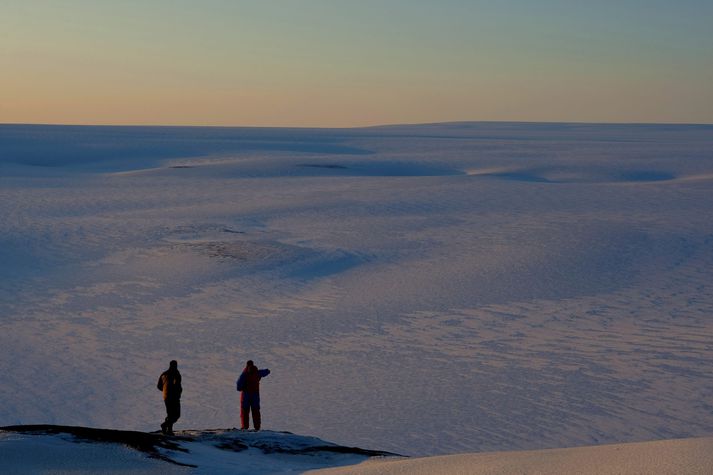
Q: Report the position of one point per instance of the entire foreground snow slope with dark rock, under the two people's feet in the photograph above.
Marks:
(57, 449)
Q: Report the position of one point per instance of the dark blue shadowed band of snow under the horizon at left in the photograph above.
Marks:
(124, 148)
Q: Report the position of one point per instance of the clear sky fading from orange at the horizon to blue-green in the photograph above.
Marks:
(361, 62)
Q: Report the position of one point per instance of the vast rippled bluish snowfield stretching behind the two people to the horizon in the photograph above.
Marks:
(417, 289)
